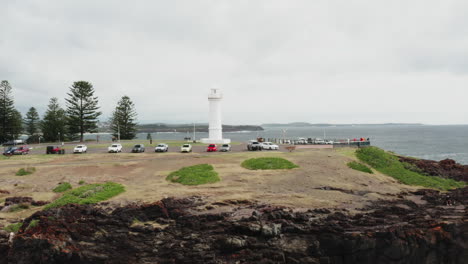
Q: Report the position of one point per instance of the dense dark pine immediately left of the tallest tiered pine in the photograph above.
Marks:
(53, 125)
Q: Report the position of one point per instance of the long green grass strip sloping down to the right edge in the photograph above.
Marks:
(389, 164)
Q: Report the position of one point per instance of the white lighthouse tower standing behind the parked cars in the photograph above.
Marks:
(215, 127)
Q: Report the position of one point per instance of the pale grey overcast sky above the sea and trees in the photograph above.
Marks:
(275, 61)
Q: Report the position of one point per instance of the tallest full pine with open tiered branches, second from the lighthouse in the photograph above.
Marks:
(82, 109)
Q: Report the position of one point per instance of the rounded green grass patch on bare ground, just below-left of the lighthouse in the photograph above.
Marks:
(194, 175)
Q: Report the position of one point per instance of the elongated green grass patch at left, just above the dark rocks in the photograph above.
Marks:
(88, 194)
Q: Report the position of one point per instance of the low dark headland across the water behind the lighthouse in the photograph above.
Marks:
(161, 127)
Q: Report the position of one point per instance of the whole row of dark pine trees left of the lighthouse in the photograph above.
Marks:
(80, 115)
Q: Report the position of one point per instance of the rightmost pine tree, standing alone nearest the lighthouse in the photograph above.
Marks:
(124, 119)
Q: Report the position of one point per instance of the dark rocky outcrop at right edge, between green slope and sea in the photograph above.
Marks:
(447, 168)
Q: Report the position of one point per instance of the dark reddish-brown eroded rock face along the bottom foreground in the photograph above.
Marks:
(184, 231)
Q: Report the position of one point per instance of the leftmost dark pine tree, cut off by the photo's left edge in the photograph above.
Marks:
(10, 125)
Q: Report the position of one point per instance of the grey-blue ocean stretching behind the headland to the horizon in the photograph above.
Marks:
(421, 141)
